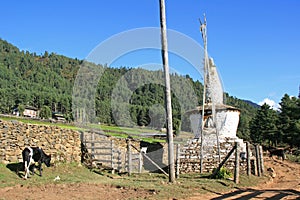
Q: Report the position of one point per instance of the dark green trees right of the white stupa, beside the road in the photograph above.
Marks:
(275, 128)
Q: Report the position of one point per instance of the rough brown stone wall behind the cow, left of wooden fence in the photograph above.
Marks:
(62, 144)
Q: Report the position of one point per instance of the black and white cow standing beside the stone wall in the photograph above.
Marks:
(34, 154)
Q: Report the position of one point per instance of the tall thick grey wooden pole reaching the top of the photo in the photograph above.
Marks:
(165, 59)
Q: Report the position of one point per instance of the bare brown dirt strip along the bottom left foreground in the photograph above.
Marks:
(71, 191)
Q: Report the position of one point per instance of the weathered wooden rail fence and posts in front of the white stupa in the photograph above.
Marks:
(131, 159)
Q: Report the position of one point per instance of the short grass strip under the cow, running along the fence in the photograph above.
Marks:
(185, 186)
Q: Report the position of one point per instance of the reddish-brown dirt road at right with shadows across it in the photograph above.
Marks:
(285, 184)
